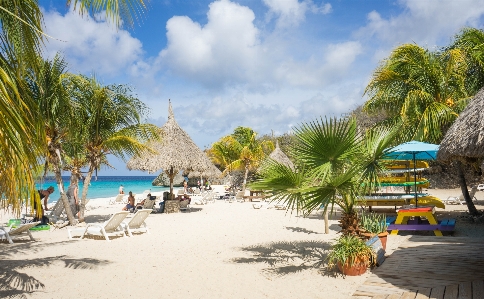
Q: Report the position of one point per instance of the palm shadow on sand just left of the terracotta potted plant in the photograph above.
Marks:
(288, 257)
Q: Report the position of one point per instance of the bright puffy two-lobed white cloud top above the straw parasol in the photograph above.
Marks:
(224, 50)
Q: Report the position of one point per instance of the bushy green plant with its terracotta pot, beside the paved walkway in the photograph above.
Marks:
(351, 254)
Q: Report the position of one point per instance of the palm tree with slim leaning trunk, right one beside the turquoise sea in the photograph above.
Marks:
(109, 122)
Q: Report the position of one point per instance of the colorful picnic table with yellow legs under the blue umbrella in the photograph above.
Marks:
(404, 221)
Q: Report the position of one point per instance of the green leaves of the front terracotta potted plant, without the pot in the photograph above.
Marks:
(349, 248)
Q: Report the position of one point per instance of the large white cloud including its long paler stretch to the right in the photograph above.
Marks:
(228, 51)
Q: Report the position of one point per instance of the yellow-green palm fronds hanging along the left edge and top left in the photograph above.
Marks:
(21, 127)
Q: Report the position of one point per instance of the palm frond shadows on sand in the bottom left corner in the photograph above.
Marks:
(15, 284)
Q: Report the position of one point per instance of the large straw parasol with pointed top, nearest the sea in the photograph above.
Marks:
(175, 152)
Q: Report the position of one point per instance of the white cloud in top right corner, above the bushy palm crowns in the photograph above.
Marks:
(423, 22)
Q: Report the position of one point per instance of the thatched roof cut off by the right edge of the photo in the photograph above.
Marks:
(465, 138)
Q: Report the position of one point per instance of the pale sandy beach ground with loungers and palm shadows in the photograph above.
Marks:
(219, 250)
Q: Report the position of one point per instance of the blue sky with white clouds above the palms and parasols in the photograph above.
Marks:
(265, 64)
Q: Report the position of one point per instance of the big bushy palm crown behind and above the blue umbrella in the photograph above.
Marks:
(424, 91)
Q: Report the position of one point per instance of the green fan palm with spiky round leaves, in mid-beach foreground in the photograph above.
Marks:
(334, 165)
